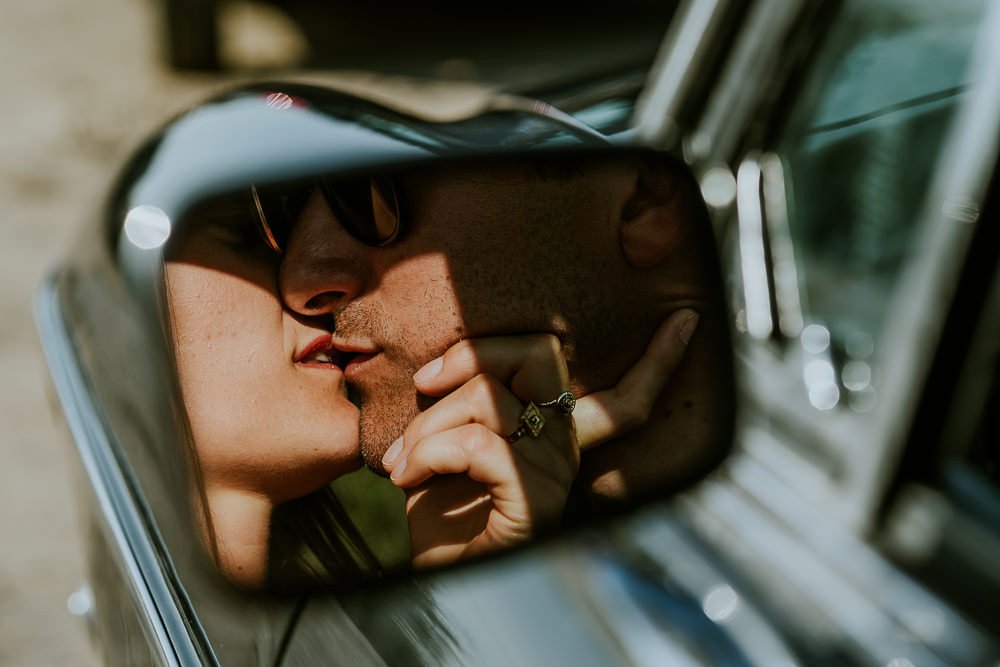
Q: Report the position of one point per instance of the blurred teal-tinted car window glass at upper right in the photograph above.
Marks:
(857, 158)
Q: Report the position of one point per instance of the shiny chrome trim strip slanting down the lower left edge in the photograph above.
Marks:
(150, 578)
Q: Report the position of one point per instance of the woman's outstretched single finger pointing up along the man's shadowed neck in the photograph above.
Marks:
(607, 414)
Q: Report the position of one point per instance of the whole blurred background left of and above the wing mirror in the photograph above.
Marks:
(83, 83)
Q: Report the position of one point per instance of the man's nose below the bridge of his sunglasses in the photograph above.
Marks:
(323, 266)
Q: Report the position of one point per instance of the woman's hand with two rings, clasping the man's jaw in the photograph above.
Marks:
(471, 492)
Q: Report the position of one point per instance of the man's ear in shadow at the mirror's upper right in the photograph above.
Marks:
(652, 217)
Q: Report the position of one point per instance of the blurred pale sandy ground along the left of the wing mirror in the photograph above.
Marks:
(82, 81)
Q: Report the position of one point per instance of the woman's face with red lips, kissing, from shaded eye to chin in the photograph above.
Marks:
(268, 410)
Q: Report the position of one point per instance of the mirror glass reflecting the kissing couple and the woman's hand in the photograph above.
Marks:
(378, 372)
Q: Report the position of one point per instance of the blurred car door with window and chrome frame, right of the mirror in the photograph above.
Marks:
(850, 182)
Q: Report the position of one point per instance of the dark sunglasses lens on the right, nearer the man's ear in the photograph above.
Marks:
(367, 207)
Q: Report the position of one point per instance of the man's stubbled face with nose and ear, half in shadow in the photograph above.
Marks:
(488, 249)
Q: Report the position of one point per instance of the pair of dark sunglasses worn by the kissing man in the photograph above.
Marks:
(367, 207)
